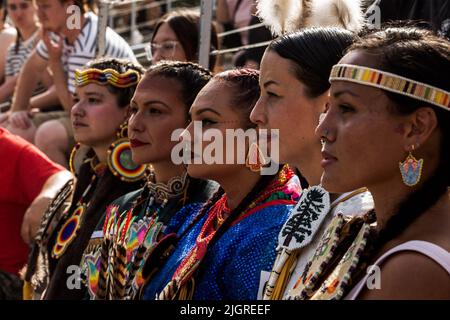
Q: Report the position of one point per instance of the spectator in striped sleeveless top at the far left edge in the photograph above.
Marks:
(23, 15)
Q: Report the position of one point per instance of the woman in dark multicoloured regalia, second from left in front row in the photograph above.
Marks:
(132, 224)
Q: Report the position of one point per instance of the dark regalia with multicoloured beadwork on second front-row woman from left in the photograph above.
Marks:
(118, 275)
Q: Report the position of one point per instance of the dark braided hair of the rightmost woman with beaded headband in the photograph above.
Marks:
(419, 55)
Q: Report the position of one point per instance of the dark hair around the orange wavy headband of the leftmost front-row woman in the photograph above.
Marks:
(124, 95)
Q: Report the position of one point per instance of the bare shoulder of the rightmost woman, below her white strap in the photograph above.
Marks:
(412, 276)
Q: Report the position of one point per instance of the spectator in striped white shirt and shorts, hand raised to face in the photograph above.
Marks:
(62, 49)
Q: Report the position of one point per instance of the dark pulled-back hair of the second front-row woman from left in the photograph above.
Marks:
(191, 76)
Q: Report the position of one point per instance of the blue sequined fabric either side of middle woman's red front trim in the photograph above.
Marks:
(232, 266)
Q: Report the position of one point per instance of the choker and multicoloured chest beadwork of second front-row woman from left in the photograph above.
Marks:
(126, 241)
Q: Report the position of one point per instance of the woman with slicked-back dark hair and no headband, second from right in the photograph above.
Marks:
(294, 92)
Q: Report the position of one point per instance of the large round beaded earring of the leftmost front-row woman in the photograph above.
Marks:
(119, 158)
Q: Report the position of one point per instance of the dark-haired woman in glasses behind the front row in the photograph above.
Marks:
(176, 37)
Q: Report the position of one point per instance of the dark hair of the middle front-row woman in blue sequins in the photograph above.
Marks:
(245, 84)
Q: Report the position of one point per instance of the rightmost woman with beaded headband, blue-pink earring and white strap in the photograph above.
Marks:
(388, 123)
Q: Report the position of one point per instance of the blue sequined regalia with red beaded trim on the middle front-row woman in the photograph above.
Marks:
(207, 266)
